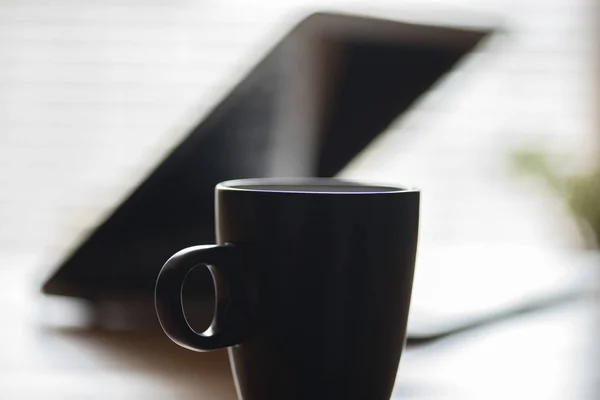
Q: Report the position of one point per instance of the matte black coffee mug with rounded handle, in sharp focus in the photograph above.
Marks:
(313, 281)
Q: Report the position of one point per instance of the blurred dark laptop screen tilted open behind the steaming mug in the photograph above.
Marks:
(313, 102)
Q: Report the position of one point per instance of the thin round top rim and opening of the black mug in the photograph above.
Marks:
(257, 185)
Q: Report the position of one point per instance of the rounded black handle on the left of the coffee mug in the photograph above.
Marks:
(229, 324)
